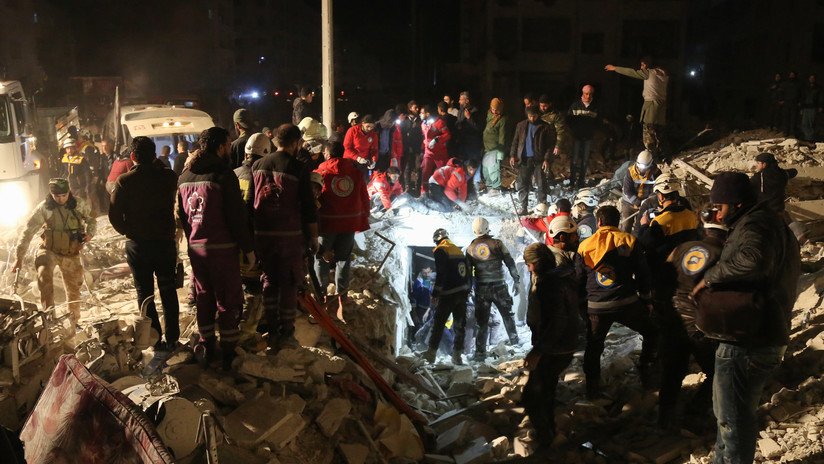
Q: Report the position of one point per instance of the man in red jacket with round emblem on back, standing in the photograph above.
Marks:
(344, 210)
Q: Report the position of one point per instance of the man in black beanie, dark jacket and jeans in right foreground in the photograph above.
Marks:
(761, 261)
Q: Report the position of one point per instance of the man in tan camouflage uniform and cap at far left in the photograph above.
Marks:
(66, 224)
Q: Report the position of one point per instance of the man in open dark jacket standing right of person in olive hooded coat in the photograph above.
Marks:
(531, 149)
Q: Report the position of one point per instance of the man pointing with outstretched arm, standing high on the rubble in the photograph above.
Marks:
(654, 112)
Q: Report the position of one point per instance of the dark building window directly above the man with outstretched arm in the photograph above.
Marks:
(661, 39)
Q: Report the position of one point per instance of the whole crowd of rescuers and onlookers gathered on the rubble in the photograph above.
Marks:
(261, 211)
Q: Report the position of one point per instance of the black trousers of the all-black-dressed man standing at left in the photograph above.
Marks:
(147, 259)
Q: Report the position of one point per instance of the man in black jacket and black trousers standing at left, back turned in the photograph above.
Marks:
(142, 209)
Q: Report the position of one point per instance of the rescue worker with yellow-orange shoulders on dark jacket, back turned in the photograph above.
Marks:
(618, 290)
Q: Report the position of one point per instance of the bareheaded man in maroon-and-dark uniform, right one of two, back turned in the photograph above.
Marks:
(286, 224)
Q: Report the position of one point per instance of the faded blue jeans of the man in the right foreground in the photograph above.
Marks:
(740, 376)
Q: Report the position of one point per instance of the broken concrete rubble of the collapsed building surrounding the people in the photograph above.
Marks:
(361, 393)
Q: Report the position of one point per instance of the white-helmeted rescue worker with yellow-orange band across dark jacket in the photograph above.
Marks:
(673, 224)
